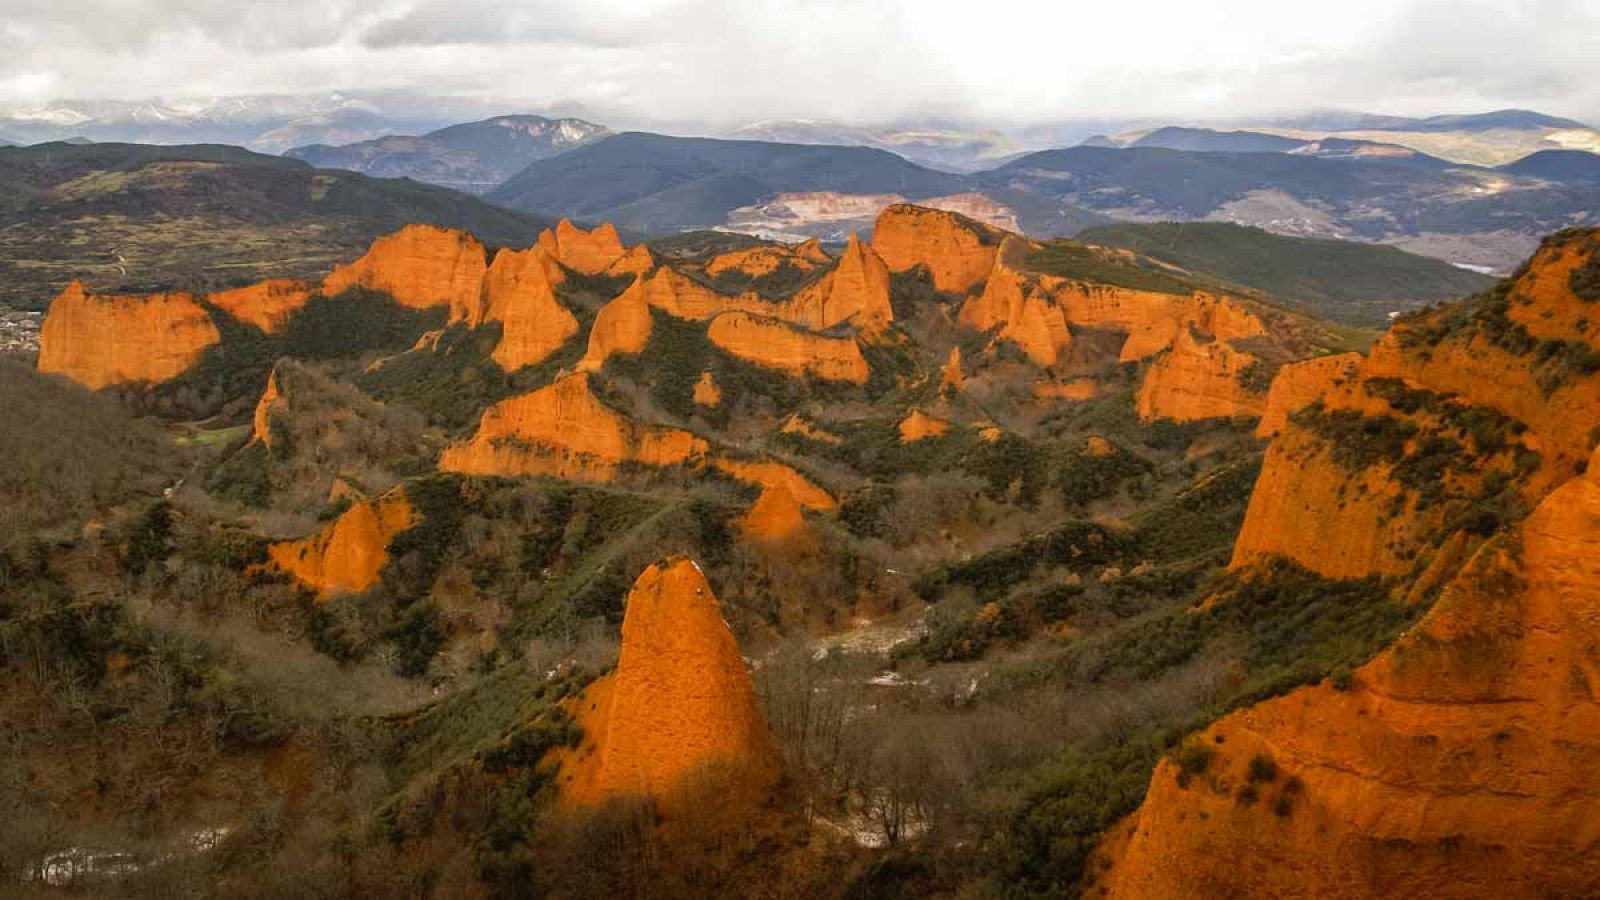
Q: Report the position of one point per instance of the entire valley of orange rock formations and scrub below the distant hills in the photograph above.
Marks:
(942, 560)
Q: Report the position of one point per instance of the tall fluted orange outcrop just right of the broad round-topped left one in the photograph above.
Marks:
(519, 292)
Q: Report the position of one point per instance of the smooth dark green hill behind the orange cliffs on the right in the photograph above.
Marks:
(1350, 283)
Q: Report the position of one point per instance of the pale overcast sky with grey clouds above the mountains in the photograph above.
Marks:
(1002, 62)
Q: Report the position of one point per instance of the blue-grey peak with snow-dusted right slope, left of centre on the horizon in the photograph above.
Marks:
(474, 158)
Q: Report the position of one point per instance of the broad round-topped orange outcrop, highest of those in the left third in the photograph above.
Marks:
(422, 267)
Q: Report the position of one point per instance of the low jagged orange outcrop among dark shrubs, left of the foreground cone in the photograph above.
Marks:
(350, 553)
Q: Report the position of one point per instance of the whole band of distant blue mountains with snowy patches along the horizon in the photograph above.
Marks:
(1473, 190)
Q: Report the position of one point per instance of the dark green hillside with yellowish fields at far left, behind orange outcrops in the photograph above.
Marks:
(135, 217)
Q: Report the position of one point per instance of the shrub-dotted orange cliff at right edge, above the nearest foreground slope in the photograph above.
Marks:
(1345, 523)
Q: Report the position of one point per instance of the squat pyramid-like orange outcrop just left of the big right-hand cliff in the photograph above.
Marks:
(1198, 382)
